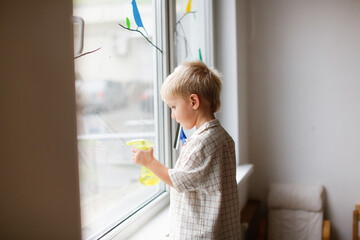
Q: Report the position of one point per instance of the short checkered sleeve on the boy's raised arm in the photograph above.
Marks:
(196, 173)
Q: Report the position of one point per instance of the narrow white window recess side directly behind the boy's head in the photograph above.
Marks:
(225, 48)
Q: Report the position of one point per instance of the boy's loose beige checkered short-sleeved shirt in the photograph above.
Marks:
(204, 201)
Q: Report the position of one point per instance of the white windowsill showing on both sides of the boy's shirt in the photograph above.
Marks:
(158, 227)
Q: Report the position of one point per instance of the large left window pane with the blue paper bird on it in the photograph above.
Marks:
(116, 86)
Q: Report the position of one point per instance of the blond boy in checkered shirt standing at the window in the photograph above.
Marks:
(204, 198)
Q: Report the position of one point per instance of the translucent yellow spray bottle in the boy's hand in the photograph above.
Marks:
(146, 177)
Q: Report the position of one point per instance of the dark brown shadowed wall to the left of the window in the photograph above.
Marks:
(38, 154)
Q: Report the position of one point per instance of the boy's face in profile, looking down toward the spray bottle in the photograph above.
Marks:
(182, 110)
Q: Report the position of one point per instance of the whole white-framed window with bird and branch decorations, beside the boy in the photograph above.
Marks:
(119, 68)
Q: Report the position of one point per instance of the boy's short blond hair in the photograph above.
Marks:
(194, 78)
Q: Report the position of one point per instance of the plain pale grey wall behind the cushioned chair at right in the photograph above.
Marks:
(304, 94)
